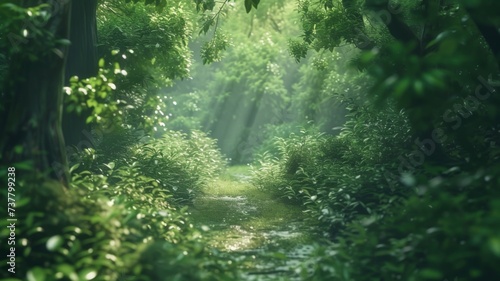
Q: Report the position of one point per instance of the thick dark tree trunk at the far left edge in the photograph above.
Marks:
(33, 101)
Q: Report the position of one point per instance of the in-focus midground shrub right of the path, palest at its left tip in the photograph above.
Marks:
(340, 178)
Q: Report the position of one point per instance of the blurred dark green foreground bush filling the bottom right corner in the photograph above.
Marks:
(447, 230)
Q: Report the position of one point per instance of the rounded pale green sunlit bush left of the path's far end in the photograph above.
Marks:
(180, 163)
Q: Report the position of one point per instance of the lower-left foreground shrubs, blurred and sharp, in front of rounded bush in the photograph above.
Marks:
(98, 230)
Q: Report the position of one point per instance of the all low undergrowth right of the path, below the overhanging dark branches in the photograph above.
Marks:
(434, 222)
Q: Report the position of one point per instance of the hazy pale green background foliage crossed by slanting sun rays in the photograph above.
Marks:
(256, 91)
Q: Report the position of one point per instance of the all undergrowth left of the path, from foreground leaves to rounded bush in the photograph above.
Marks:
(119, 220)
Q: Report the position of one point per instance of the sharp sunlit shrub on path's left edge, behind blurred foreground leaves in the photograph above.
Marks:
(172, 247)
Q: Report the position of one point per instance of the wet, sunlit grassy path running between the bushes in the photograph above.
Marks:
(268, 237)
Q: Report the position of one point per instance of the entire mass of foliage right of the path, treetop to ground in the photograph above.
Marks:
(406, 222)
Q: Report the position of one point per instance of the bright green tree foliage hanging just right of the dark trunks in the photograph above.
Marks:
(152, 49)
